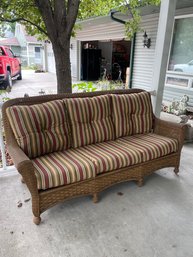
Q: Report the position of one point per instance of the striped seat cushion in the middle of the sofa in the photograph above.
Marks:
(111, 155)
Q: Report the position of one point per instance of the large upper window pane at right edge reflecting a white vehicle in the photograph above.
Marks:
(181, 56)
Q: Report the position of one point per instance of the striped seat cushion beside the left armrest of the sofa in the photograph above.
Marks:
(62, 168)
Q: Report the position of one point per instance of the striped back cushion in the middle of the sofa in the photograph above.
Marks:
(90, 120)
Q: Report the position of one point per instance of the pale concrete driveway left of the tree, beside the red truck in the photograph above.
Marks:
(32, 83)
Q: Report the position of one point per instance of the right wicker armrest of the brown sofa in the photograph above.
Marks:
(170, 129)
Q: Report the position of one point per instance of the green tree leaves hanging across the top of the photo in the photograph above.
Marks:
(27, 13)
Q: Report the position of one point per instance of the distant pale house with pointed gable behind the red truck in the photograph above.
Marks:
(30, 50)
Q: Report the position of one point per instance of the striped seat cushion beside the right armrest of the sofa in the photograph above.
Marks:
(151, 146)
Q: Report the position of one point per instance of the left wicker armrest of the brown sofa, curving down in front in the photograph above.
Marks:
(24, 166)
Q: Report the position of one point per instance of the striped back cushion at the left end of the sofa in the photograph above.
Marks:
(40, 128)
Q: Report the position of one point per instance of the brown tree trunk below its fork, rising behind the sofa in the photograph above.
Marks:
(63, 66)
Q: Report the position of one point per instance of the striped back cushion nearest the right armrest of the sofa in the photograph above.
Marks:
(132, 114)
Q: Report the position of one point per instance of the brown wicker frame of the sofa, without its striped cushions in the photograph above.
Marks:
(44, 199)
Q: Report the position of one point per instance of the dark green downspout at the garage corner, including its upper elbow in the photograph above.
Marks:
(132, 47)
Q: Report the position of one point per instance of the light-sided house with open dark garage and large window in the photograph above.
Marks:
(109, 36)
